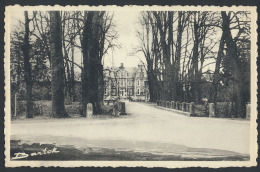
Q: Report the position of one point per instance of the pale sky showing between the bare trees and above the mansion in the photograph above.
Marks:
(126, 23)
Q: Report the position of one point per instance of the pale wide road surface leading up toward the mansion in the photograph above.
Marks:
(146, 130)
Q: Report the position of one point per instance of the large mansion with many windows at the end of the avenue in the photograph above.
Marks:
(126, 83)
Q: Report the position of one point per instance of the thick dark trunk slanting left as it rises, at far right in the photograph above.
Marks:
(232, 53)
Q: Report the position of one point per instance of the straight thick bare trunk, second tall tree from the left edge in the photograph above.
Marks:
(57, 82)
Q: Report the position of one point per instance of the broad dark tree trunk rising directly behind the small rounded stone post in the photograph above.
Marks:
(94, 36)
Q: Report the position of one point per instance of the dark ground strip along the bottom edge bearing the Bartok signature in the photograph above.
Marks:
(38, 151)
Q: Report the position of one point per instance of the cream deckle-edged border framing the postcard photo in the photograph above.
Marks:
(168, 164)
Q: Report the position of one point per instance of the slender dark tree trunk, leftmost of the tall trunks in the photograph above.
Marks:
(27, 68)
